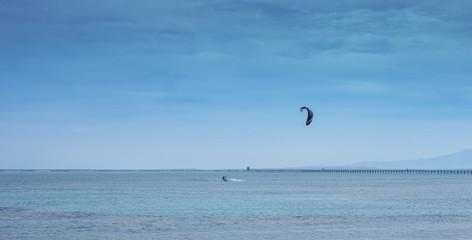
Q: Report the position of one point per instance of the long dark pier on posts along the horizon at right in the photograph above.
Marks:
(366, 171)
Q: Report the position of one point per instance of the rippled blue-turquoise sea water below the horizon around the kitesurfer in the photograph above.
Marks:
(251, 205)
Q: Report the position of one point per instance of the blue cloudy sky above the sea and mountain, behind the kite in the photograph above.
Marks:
(205, 84)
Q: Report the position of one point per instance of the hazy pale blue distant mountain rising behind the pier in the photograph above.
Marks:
(459, 160)
